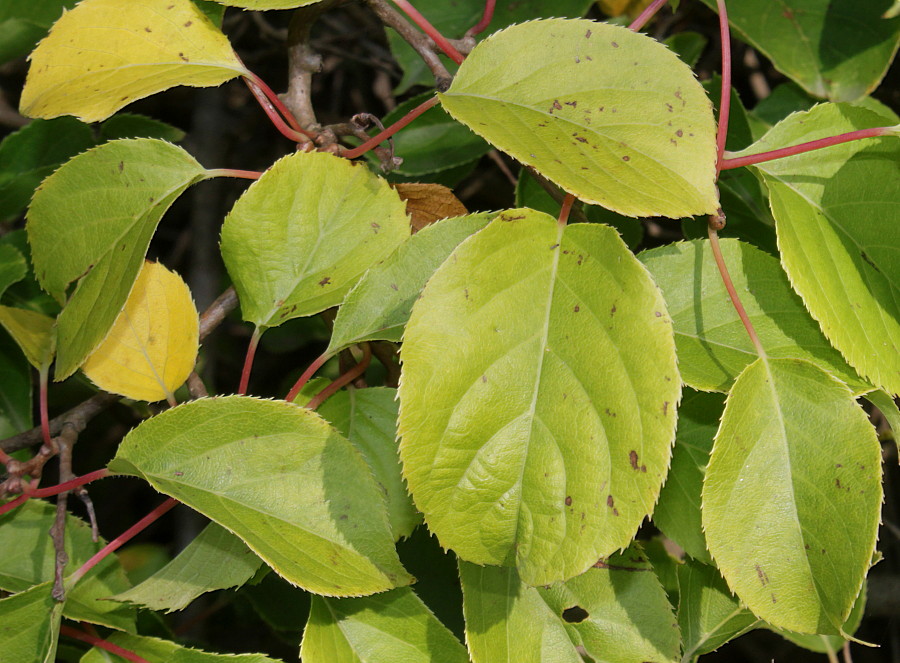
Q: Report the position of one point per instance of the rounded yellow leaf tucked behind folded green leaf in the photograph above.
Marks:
(152, 346)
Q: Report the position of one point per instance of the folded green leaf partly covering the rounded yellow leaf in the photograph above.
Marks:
(92, 221)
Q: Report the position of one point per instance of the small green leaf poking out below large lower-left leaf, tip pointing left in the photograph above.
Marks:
(215, 559)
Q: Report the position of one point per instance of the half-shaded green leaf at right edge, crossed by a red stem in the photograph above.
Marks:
(836, 224)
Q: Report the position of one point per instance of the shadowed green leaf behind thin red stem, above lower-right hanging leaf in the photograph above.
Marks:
(713, 346)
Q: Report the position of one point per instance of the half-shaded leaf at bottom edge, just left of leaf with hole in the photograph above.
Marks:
(509, 622)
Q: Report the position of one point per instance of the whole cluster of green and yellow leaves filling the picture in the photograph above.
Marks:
(557, 389)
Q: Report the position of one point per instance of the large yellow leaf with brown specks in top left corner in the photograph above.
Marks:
(105, 54)
